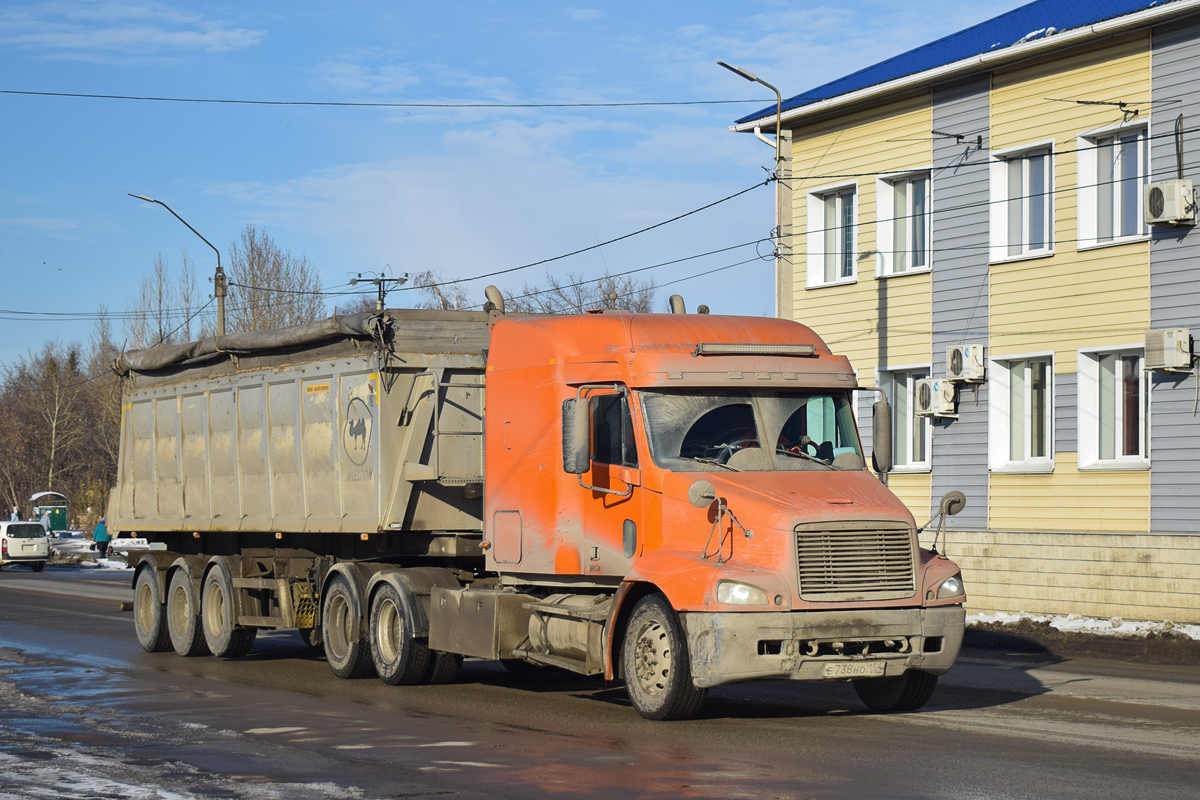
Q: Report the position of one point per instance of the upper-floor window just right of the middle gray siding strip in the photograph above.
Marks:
(1023, 212)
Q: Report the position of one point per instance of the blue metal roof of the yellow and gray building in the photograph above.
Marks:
(1030, 22)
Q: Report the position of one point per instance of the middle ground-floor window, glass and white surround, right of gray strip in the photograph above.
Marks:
(1022, 414)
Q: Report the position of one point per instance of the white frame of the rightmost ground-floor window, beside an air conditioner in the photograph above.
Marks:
(1089, 370)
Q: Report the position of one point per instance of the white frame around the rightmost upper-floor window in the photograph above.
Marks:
(1090, 189)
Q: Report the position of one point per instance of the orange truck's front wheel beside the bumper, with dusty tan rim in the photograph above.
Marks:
(657, 666)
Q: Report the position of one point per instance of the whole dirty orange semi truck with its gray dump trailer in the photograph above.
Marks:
(676, 502)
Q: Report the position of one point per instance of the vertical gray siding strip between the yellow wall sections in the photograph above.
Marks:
(961, 290)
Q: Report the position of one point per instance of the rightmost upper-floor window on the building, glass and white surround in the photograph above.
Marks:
(1113, 173)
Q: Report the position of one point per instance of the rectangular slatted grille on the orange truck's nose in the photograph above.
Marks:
(843, 563)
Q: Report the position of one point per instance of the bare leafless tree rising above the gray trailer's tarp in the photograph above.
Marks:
(271, 287)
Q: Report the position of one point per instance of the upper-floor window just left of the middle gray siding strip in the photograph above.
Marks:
(904, 234)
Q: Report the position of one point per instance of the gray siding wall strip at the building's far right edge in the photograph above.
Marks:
(1175, 282)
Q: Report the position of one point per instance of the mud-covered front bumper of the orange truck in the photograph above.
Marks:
(729, 647)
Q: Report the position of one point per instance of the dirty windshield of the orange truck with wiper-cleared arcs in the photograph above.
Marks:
(698, 432)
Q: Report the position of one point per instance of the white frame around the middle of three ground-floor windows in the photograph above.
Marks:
(1000, 422)
